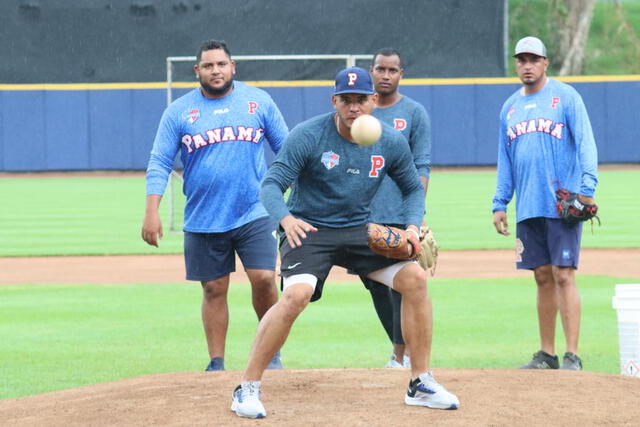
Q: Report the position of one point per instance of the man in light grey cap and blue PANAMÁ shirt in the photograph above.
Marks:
(546, 143)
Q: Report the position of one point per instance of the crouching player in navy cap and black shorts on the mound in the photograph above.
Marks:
(324, 223)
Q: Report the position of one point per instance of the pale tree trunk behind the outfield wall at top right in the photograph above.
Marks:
(574, 33)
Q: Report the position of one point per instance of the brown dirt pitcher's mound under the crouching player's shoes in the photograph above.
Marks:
(340, 397)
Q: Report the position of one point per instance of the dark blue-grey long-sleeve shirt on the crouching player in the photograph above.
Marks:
(334, 180)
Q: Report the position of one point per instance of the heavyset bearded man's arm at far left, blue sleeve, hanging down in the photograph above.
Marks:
(165, 147)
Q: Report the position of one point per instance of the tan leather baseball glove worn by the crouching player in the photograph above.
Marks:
(392, 242)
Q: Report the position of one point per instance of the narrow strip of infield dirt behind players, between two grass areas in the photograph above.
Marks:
(170, 268)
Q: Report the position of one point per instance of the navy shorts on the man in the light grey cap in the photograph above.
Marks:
(542, 241)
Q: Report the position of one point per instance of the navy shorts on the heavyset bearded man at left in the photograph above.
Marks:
(209, 256)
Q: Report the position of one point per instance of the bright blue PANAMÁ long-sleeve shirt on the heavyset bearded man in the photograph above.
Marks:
(221, 143)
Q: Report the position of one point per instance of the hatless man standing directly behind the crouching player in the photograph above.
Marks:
(411, 119)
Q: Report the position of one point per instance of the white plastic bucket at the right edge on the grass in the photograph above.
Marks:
(626, 302)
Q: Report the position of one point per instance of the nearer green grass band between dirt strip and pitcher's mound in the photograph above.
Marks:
(57, 337)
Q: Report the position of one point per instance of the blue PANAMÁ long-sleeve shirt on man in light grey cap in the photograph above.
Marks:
(546, 142)
